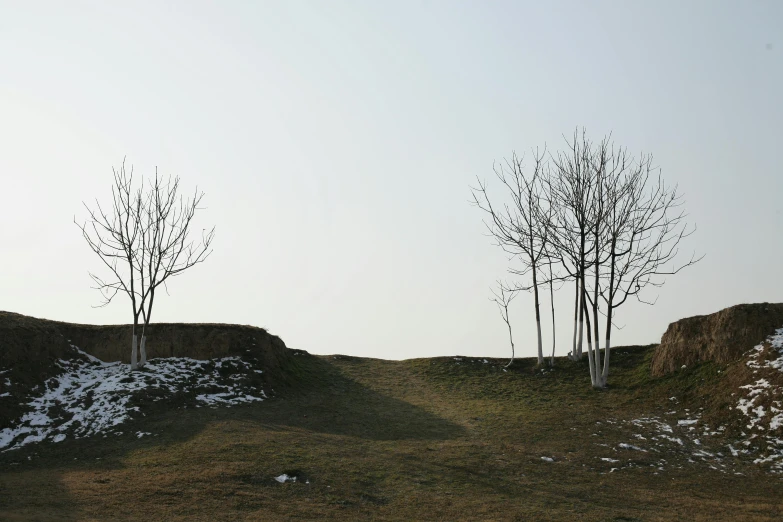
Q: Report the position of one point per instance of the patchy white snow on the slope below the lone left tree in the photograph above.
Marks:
(91, 397)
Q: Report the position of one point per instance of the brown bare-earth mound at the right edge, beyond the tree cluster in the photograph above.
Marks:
(720, 337)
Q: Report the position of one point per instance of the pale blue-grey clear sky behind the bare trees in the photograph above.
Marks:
(336, 143)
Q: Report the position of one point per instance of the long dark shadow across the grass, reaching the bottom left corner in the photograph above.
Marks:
(312, 395)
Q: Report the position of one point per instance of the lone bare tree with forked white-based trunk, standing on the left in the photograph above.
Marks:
(144, 239)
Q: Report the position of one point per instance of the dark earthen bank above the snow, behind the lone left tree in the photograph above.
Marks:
(33, 350)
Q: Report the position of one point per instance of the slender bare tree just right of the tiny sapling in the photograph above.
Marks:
(517, 229)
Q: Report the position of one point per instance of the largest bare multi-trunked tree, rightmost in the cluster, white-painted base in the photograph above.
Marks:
(610, 223)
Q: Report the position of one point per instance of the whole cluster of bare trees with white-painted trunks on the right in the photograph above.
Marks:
(594, 216)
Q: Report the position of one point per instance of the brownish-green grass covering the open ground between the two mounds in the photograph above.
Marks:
(423, 439)
